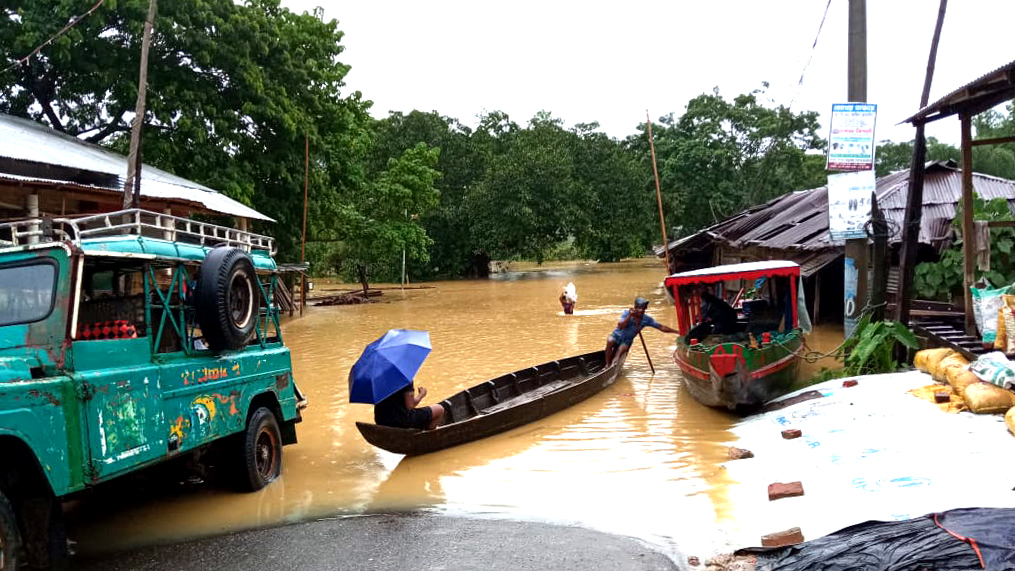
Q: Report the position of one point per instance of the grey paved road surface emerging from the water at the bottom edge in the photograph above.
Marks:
(397, 543)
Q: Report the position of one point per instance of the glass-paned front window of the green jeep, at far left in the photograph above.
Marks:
(27, 293)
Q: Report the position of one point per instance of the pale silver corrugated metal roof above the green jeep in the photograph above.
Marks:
(31, 142)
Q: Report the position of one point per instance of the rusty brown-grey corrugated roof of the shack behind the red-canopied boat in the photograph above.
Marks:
(798, 223)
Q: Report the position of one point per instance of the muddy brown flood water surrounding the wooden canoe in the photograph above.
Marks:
(641, 459)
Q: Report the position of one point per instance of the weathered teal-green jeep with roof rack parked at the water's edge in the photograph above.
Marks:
(126, 340)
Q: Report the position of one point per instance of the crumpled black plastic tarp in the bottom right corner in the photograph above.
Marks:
(961, 539)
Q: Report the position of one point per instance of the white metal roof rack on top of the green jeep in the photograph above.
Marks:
(130, 223)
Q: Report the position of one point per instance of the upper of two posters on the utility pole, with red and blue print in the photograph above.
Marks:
(851, 141)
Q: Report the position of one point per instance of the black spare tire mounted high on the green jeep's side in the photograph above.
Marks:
(228, 299)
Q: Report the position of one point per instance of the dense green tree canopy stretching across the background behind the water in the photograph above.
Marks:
(238, 90)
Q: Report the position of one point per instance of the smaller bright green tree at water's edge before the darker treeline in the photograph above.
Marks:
(380, 225)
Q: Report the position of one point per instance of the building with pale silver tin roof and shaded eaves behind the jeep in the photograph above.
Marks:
(47, 173)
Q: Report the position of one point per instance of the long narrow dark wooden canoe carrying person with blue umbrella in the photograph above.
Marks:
(502, 404)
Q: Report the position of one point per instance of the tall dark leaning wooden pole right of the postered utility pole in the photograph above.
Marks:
(915, 200)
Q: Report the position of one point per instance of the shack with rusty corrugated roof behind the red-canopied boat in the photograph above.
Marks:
(795, 227)
